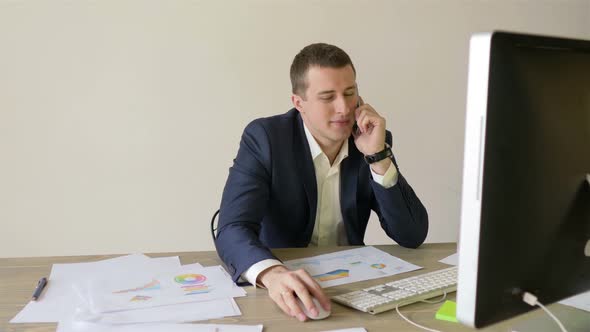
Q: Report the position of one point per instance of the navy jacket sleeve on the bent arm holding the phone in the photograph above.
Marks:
(401, 214)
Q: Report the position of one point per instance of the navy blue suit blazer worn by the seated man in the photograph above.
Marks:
(270, 197)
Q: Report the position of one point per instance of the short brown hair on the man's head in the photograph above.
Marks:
(319, 54)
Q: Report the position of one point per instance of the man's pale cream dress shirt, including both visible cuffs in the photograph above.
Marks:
(329, 227)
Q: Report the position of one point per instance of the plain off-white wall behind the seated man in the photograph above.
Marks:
(119, 119)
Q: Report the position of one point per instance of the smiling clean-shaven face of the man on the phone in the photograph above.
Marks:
(329, 104)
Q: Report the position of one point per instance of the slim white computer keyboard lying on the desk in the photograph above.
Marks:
(387, 296)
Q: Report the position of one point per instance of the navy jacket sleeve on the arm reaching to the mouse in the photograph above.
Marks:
(245, 202)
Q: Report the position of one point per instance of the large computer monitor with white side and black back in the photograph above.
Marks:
(525, 214)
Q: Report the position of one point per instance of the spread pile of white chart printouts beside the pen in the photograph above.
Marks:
(133, 289)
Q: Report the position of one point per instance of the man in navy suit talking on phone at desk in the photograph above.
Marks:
(310, 177)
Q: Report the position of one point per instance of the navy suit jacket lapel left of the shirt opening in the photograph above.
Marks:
(306, 171)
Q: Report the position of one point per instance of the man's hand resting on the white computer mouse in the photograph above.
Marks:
(284, 286)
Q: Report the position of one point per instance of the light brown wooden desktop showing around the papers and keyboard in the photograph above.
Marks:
(18, 277)
